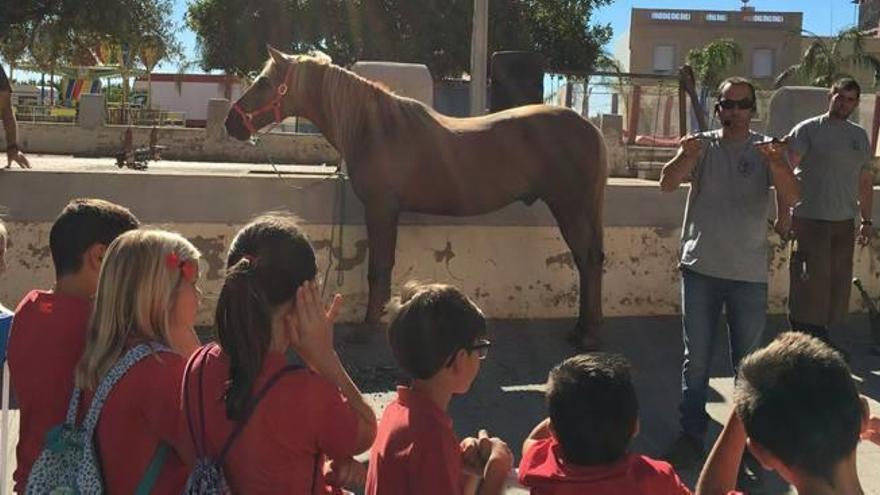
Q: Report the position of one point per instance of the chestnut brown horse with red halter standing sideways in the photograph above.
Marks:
(404, 156)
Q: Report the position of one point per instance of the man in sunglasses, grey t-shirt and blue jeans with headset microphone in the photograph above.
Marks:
(724, 246)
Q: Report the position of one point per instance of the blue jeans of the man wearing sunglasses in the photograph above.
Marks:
(703, 297)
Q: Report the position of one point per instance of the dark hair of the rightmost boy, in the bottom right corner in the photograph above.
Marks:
(797, 399)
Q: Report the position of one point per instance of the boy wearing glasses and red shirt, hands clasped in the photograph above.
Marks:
(438, 337)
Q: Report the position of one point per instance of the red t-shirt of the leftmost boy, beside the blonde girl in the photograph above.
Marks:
(46, 341)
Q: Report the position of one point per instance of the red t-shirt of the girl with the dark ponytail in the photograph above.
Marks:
(303, 420)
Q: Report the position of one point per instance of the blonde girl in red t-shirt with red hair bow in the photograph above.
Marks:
(146, 294)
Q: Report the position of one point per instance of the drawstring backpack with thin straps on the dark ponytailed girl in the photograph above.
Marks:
(207, 477)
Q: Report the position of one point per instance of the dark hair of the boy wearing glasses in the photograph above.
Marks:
(430, 324)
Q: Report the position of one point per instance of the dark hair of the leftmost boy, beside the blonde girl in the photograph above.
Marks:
(83, 223)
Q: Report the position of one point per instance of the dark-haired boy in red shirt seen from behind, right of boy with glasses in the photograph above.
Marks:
(582, 446)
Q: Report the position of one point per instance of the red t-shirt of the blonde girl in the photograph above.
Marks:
(142, 410)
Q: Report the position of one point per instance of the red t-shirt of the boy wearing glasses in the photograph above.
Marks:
(415, 450)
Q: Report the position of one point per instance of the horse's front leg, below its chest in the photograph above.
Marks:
(382, 234)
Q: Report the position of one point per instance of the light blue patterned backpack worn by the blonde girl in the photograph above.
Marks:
(68, 463)
